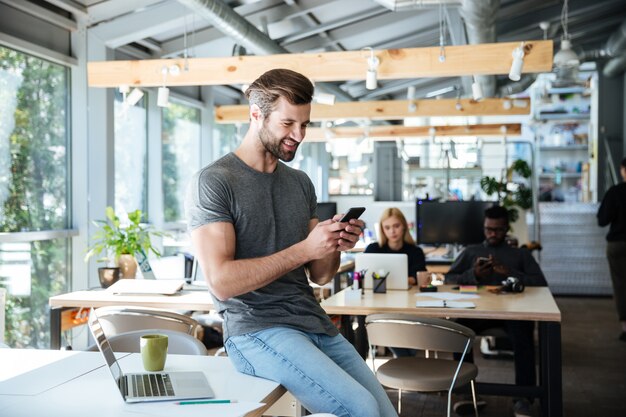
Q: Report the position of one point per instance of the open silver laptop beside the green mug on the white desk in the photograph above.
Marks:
(149, 386)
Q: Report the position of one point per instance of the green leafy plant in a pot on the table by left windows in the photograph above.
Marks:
(120, 243)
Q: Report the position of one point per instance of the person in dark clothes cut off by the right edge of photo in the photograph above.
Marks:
(613, 211)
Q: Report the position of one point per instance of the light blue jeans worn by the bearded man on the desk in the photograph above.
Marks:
(326, 374)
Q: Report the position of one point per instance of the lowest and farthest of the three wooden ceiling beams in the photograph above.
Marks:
(397, 132)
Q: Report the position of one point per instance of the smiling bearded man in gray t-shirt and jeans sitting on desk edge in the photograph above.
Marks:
(256, 234)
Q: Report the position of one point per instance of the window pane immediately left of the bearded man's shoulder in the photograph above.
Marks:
(181, 159)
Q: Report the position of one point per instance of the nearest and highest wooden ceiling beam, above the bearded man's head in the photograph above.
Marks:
(461, 60)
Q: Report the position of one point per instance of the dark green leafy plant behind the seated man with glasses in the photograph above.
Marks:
(511, 195)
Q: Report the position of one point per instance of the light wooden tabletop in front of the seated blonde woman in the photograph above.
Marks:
(535, 303)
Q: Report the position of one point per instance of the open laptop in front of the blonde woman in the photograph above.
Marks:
(397, 264)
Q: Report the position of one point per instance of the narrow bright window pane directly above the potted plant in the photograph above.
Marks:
(131, 167)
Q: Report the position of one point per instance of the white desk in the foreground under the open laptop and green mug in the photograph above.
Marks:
(77, 384)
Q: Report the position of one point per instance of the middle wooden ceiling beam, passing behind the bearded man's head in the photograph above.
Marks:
(394, 109)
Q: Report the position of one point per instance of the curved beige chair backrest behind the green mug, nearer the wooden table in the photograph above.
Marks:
(123, 319)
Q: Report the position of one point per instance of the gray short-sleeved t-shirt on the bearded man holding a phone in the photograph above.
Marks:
(269, 212)
